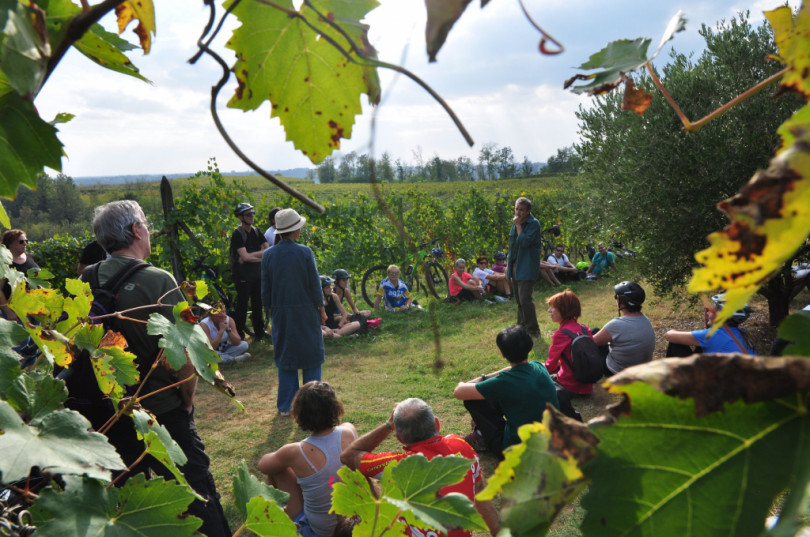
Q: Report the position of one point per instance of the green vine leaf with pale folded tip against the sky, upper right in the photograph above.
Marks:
(619, 58)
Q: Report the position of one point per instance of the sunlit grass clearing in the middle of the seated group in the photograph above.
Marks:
(401, 360)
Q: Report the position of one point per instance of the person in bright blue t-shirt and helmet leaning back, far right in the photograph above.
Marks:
(729, 338)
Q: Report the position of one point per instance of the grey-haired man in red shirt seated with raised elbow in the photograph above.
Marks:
(417, 429)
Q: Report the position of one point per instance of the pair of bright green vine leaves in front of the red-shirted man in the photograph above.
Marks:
(409, 489)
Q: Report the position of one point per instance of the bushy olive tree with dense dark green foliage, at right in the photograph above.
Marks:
(655, 182)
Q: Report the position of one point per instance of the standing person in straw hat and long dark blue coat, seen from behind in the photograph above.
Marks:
(291, 290)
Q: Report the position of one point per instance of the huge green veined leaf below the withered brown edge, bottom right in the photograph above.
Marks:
(663, 471)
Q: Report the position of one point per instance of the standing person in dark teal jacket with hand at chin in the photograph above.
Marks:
(524, 262)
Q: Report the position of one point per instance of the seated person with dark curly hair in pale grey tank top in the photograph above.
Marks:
(305, 469)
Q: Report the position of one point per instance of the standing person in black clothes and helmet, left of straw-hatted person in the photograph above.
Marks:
(247, 246)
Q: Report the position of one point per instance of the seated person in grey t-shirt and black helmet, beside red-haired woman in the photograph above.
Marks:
(629, 339)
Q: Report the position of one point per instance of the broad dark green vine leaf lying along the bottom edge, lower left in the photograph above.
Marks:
(155, 508)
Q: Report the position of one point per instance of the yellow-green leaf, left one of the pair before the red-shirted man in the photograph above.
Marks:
(353, 496)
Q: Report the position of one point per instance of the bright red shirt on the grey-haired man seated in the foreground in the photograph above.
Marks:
(373, 464)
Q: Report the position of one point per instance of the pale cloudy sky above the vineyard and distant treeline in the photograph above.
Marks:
(489, 71)
